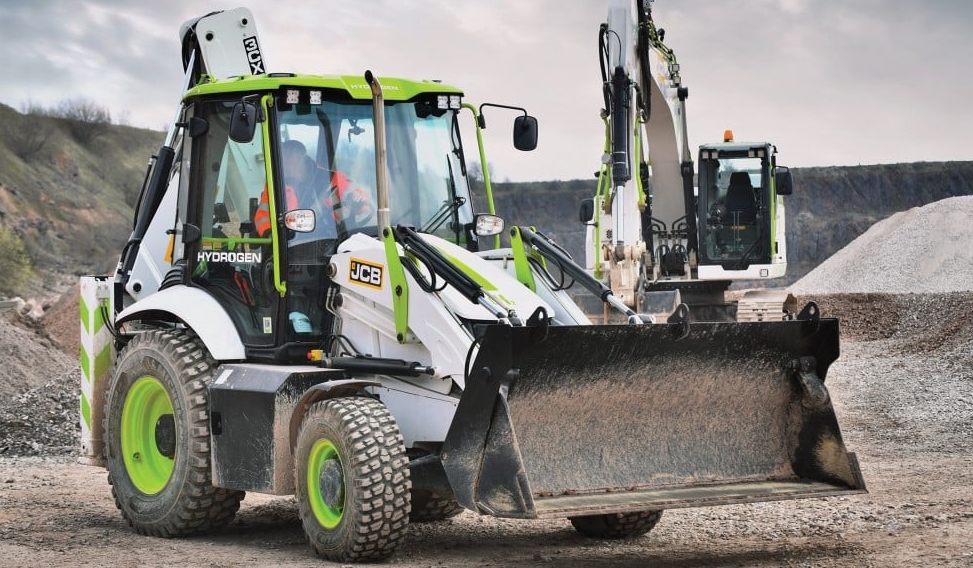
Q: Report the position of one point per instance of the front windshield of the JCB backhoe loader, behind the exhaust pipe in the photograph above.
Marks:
(427, 189)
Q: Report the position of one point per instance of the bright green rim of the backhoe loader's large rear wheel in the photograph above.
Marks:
(148, 468)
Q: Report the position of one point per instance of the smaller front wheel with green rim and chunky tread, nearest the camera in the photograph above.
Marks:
(358, 509)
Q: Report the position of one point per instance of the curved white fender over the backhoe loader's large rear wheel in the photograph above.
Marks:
(196, 309)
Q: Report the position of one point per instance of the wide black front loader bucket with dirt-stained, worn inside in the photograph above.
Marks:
(582, 420)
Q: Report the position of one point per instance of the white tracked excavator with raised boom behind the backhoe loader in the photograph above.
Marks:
(660, 230)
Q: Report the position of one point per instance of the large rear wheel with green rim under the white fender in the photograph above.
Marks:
(157, 446)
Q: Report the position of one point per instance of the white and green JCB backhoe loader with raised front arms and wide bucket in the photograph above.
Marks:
(381, 358)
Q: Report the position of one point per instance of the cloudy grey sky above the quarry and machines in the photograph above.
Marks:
(830, 83)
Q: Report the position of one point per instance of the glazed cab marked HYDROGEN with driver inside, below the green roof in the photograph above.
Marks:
(263, 276)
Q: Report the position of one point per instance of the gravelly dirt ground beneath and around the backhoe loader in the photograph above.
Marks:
(903, 391)
